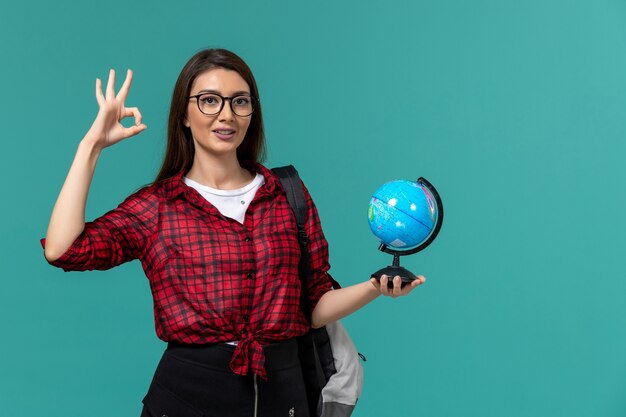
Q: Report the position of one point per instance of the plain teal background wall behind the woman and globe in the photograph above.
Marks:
(514, 110)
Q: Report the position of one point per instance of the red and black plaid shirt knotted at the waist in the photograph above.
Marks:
(213, 279)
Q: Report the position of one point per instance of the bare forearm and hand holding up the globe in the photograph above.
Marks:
(342, 302)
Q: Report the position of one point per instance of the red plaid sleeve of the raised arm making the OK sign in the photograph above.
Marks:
(117, 236)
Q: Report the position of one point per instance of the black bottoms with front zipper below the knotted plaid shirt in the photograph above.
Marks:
(196, 381)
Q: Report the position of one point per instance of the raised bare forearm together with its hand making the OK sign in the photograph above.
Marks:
(68, 215)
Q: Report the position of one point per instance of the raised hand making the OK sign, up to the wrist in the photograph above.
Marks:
(107, 129)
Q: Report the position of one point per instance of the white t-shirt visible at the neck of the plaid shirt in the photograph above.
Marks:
(231, 203)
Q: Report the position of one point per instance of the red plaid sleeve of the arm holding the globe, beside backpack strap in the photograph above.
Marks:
(320, 281)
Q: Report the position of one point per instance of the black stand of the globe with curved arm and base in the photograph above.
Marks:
(395, 269)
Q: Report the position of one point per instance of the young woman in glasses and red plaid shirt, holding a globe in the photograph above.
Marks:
(218, 242)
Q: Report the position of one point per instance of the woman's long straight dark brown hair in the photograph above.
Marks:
(180, 150)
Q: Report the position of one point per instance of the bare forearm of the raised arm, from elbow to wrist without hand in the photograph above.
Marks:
(68, 215)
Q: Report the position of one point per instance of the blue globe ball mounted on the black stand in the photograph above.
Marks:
(402, 214)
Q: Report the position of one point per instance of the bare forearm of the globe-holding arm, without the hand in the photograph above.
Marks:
(342, 302)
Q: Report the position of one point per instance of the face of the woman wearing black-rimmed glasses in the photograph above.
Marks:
(222, 133)
